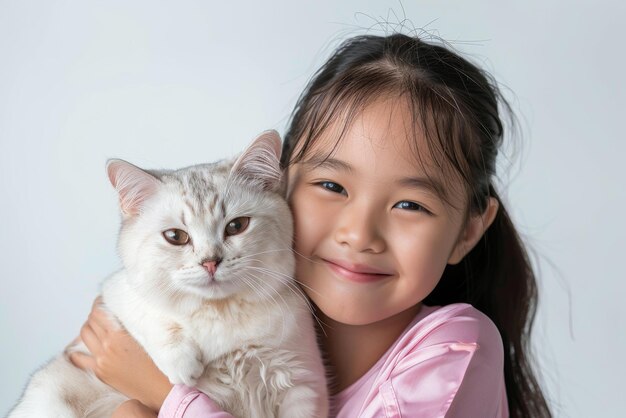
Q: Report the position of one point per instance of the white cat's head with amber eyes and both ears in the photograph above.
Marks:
(210, 230)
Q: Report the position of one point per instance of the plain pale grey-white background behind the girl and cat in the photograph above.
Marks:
(168, 84)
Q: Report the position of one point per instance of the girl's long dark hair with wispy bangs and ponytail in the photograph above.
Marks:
(457, 107)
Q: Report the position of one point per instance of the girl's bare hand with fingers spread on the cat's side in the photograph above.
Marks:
(119, 361)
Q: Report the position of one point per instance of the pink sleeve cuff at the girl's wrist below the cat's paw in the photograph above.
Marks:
(186, 402)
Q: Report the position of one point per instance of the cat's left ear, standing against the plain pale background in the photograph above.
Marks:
(133, 185)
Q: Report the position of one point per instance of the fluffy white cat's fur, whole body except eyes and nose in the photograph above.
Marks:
(244, 335)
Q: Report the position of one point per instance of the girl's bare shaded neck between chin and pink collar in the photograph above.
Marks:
(352, 350)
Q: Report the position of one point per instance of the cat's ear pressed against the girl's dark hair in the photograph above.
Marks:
(260, 162)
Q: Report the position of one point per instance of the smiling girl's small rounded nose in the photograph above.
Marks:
(359, 229)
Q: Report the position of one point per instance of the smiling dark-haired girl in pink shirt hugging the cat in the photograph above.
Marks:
(423, 288)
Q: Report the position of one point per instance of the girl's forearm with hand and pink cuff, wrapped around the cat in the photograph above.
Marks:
(119, 361)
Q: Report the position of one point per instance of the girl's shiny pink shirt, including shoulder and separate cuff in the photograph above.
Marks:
(448, 362)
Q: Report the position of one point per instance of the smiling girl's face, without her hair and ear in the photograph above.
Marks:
(371, 235)
